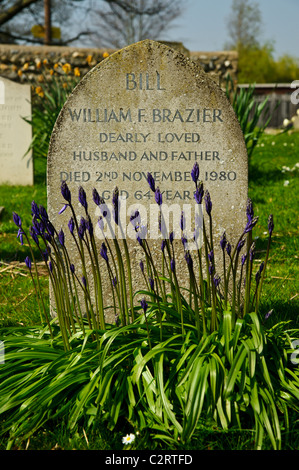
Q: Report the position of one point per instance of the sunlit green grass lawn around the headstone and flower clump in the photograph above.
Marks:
(273, 188)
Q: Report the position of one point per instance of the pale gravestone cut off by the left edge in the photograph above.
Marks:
(15, 134)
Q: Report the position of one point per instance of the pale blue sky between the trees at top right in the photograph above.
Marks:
(203, 25)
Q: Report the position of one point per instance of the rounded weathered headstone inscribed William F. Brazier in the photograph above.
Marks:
(148, 108)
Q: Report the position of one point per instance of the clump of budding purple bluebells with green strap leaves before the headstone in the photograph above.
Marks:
(171, 361)
